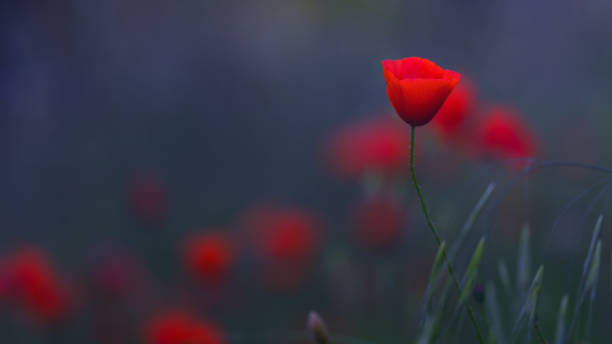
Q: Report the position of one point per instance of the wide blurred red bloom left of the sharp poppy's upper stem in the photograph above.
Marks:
(381, 145)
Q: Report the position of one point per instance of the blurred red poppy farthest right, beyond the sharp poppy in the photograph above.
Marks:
(502, 134)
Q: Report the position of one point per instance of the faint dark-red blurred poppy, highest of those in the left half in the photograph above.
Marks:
(147, 198)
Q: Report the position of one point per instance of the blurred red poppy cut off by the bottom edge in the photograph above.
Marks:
(181, 328)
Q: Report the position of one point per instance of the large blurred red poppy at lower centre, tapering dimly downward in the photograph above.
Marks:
(286, 240)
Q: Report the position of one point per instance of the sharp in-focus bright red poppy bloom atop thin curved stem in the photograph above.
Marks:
(417, 88)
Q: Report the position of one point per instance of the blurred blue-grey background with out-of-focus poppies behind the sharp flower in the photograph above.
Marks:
(230, 166)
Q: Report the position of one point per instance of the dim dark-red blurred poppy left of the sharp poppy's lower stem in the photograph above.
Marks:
(378, 221)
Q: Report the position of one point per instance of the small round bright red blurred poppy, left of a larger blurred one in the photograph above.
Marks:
(209, 257)
